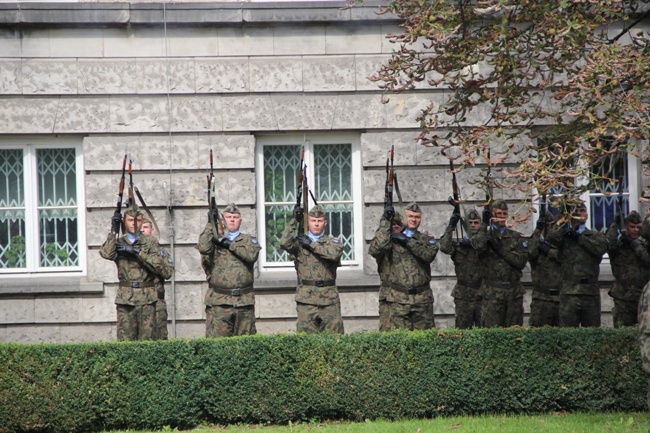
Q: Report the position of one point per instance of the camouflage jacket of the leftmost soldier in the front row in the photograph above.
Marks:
(152, 264)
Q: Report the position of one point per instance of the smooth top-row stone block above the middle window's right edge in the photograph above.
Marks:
(353, 40)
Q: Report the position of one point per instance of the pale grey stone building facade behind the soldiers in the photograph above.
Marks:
(167, 82)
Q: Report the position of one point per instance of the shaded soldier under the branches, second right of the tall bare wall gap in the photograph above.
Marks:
(503, 256)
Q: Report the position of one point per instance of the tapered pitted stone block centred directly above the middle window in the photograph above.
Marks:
(300, 112)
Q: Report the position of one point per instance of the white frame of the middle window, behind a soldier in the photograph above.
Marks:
(309, 140)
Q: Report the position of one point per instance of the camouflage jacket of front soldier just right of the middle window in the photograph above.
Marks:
(410, 265)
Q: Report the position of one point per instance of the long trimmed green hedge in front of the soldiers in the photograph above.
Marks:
(281, 378)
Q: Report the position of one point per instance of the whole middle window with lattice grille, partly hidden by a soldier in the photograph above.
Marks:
(333, 179)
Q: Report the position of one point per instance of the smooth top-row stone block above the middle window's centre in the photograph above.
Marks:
(299, 40)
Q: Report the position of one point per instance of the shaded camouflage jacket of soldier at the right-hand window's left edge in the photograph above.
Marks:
(580, 260)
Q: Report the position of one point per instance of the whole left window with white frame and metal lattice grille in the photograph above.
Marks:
(40, 207)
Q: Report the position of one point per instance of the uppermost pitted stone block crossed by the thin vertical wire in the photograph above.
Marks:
(163, 75)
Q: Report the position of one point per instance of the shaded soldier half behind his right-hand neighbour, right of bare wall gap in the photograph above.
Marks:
(467, 301)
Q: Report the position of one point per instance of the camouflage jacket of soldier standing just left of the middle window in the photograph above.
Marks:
(228, 268)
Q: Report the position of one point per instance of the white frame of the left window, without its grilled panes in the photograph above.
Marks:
(30, 146)
